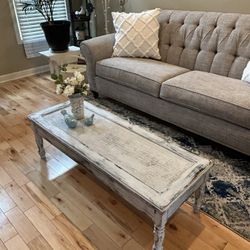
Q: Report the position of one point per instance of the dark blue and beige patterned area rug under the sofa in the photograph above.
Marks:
(227, 196)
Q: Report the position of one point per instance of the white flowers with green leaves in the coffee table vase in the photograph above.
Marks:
(71, 85)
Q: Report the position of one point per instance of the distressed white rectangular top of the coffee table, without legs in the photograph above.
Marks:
(139, 159)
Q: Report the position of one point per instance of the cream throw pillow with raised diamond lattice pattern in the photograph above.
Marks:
(137, 34)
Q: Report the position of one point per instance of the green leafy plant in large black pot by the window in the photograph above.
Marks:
(57, 32)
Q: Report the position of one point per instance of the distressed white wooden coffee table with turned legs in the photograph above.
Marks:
(154, 176)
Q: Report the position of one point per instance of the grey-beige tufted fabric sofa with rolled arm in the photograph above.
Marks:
(196, 85)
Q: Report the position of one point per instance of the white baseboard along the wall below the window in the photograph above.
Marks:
(23, 73)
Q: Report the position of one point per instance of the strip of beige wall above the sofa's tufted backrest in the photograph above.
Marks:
(240, 6)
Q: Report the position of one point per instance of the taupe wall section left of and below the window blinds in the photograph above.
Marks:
(12, 56)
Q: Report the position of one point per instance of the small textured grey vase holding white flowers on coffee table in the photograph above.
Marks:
(77, 106)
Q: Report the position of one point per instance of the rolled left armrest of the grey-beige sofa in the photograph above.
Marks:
(95, 50)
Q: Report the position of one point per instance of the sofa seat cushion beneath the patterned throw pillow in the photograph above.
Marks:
(145, 75)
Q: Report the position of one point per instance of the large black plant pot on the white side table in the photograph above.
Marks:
(57, 34)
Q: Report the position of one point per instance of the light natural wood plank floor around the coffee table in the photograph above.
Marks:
(70, 210)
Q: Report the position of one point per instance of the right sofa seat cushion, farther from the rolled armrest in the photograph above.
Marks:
(218, 96)
